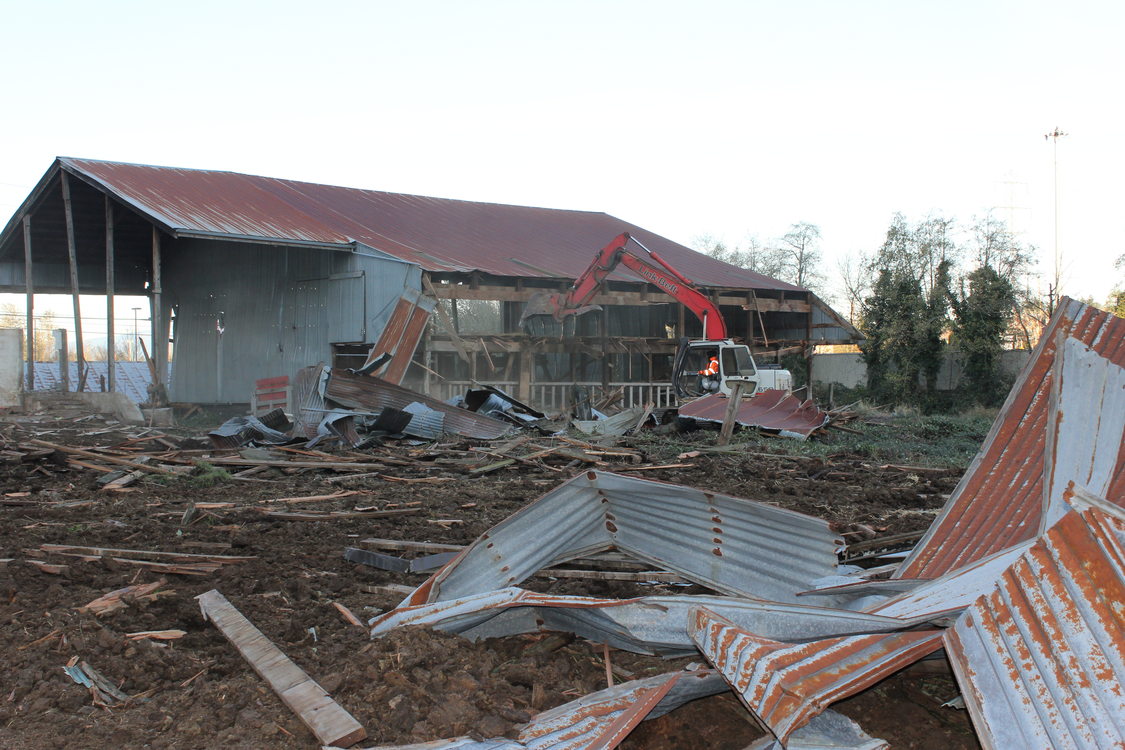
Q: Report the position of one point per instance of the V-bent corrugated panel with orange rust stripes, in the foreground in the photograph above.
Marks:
(786, 685)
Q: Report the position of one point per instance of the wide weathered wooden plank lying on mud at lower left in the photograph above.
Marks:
(325, 717)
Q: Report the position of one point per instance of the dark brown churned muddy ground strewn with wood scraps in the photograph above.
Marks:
(415, 685)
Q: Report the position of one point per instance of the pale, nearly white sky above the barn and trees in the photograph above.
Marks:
(724, 119)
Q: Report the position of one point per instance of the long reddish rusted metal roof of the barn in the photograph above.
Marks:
(438, 234)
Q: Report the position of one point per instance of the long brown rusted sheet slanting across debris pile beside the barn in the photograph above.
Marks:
(372, 394)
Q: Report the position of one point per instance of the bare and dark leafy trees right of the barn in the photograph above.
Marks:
(931, 286)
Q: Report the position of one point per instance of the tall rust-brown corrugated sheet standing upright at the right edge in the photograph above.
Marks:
(1001, 500)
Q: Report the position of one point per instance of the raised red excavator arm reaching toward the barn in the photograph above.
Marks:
(651, 267)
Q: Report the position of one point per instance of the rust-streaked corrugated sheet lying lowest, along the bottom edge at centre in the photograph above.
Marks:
(599, 721)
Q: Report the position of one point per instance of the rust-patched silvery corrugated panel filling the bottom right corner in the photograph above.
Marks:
(1041, 659)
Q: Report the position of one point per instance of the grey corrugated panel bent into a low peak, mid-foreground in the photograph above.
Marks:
(730, 545)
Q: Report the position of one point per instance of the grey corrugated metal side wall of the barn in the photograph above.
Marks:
(281, 310)
